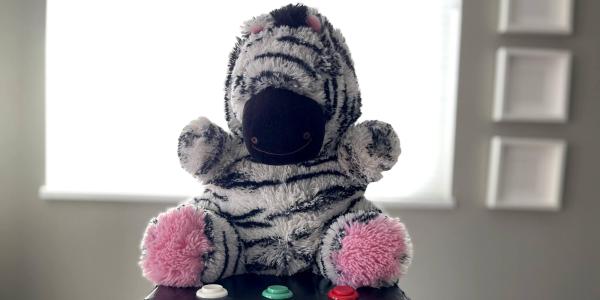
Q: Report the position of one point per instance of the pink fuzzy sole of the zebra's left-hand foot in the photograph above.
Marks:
(173, 246)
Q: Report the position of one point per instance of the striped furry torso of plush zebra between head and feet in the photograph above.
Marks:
(280, 212)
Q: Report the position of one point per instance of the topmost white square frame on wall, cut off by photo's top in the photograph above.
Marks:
(536, 16)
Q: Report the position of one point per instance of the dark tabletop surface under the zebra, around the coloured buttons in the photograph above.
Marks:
(250, 286)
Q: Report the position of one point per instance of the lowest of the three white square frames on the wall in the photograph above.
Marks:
(526, 173)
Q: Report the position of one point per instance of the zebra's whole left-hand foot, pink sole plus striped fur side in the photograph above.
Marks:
(187, 246)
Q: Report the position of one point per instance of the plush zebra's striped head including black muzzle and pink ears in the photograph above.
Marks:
(291, 90)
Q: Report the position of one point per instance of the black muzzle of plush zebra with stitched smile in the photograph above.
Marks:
(282, 127)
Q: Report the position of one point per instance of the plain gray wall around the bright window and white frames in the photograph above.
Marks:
(83, 250)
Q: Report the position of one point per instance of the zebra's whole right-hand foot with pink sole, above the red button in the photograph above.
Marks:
(365, 249)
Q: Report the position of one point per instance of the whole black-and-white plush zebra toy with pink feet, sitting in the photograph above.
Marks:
(284, 190)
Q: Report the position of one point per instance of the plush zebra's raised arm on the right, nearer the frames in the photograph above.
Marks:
(367, 149)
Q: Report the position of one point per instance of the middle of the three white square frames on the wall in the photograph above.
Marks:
(532, 85)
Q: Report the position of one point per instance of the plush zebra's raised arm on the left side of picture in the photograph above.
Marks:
(204, 148)
